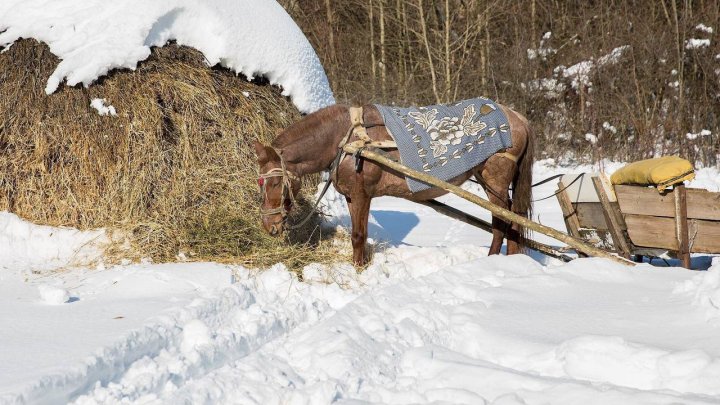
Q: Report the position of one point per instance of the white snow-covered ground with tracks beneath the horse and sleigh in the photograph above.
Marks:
(432, 320)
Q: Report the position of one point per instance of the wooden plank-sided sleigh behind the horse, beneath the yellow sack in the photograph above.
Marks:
(636, 221)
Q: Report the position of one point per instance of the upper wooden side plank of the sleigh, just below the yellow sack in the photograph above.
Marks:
(702, 204)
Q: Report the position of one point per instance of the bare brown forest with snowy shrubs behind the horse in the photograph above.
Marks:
(623, 80)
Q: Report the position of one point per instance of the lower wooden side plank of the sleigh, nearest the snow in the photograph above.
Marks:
(659, 232)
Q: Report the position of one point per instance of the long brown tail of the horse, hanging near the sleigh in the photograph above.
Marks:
(522, 183)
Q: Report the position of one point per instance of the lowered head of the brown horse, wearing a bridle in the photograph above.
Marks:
(278, 187)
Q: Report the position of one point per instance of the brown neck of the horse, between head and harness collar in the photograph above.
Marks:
(310, 145)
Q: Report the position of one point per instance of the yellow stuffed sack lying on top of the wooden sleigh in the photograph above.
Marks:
(660, 172)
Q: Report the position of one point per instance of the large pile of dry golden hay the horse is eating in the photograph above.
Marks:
(173, 172)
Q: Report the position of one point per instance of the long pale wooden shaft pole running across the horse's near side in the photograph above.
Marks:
(496, 210)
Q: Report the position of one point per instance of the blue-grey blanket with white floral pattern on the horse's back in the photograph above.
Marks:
(447, 140)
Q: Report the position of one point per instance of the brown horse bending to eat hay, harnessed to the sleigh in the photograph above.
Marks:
(312, 144)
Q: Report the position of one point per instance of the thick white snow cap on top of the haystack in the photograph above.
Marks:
(92, 37)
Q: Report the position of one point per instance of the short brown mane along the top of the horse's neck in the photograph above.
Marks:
(313, 125)
